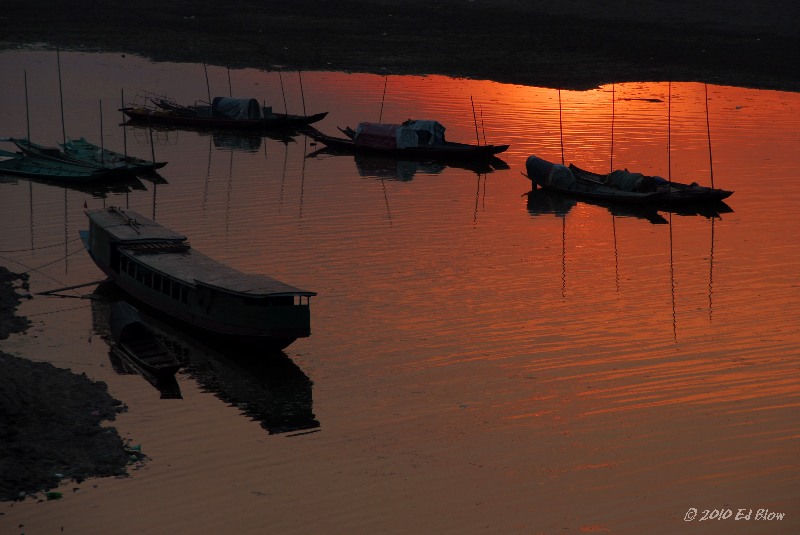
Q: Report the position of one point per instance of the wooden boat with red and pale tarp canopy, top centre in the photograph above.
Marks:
(412, 140)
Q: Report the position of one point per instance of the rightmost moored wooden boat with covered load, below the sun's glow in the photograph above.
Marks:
(619, 186)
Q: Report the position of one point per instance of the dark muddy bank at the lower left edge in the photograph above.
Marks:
(51, 420)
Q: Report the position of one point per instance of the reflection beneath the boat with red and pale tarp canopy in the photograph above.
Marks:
(389, 168)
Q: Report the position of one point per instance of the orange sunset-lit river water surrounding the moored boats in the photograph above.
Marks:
(480, 359)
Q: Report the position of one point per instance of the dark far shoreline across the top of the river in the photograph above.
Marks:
(573, 44)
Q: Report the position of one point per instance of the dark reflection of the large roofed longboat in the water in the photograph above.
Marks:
(269, 388)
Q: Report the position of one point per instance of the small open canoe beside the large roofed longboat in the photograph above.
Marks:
(135, 342)
